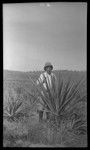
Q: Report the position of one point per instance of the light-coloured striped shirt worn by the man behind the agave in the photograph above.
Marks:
(50, 78)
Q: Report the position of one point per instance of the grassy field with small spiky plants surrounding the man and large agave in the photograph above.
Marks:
(20, 118)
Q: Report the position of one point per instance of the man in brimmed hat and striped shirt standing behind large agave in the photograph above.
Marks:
(46, 78)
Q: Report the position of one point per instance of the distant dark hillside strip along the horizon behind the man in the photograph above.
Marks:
(17, 75)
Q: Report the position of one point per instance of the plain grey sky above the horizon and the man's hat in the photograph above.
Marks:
(35, 33)
